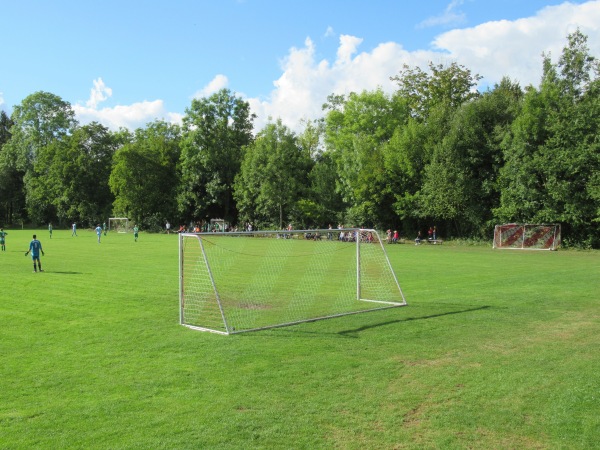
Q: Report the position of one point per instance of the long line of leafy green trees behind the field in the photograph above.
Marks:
(434, 152)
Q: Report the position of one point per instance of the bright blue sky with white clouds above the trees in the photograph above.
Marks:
(125, 63)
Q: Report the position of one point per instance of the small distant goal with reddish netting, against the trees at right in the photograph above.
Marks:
(527, 236)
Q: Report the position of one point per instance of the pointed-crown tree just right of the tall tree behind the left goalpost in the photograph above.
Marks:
(273, 177)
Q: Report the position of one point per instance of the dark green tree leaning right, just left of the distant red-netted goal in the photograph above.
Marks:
(460, 184)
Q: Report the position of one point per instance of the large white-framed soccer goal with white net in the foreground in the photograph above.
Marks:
(244, 281)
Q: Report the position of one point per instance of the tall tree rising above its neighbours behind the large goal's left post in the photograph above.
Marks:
(215, 131)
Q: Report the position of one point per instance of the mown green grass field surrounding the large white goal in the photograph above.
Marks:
(496, 349)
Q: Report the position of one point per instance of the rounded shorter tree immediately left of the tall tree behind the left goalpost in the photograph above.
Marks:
(144, 178)
